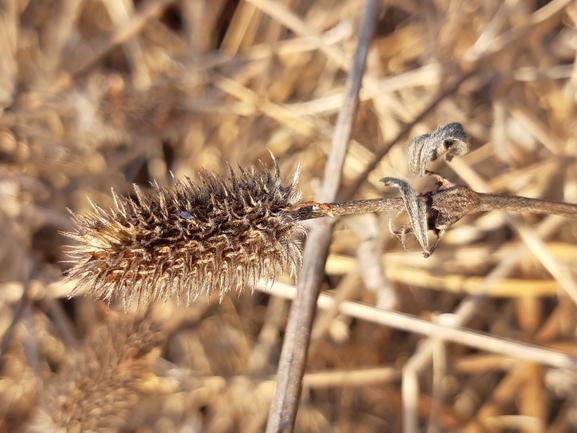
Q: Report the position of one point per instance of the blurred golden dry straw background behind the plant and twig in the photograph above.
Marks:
(97, 94)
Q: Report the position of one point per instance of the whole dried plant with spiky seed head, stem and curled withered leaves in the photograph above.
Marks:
(224, 235)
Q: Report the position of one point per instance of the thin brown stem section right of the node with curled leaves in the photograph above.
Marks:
(523, 204)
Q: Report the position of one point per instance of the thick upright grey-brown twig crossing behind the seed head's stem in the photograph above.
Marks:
(295, 347)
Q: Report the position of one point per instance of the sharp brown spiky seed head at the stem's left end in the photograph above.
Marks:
(192, 239)
